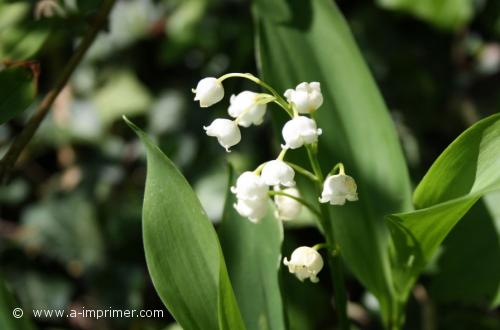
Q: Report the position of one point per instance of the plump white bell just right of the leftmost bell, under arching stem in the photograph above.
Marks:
(246, 107)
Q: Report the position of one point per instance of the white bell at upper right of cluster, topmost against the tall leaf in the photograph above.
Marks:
(306, 97)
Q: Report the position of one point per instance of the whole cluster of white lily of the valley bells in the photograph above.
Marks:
(277, 177)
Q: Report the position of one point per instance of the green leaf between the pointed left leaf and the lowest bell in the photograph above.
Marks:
(253, 253)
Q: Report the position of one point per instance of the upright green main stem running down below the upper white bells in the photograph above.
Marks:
(335, 262)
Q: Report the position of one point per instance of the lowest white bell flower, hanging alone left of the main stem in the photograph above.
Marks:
(305, 262)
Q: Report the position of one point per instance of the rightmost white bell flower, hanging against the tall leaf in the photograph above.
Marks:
(339, 188)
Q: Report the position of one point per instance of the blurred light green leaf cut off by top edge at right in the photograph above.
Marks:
(445, 14)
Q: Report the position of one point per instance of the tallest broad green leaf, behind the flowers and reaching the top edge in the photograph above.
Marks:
(316, 45)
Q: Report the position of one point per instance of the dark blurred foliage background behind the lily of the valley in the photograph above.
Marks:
(70, 217)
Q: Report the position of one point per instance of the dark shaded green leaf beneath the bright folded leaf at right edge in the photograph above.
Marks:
(475, 241)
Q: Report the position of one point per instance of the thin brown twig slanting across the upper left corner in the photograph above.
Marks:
(22, 140)
